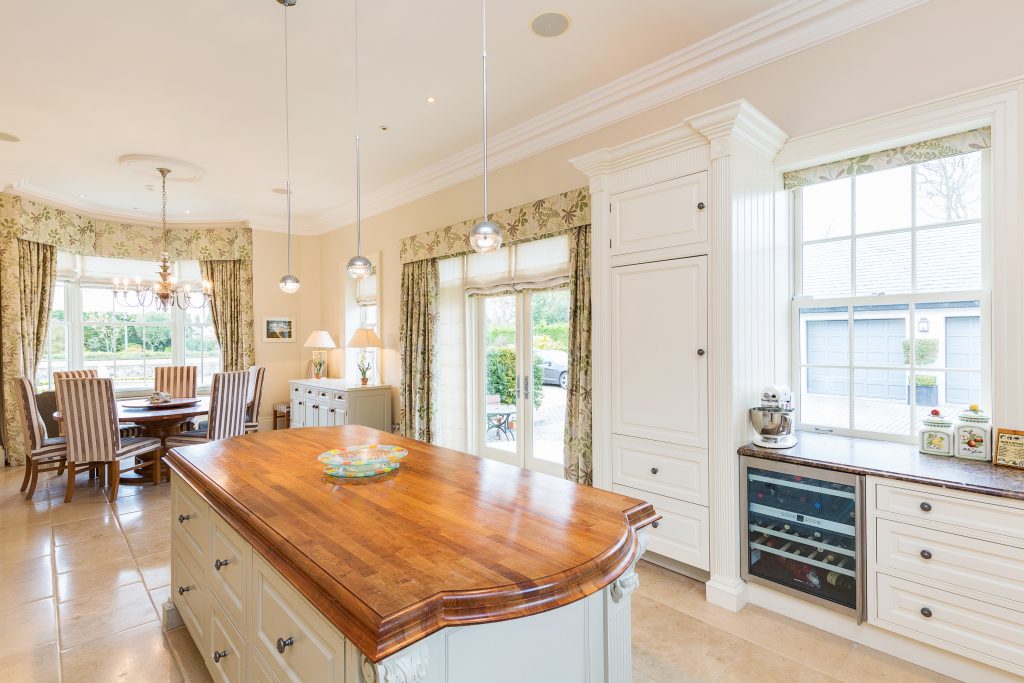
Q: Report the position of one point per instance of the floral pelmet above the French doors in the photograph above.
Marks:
(543, 219)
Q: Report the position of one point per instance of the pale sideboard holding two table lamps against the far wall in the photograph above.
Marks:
(330, 403)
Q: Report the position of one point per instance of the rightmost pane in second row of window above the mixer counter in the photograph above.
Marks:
(950, 260)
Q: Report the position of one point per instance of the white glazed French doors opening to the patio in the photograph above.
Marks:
(523, 373)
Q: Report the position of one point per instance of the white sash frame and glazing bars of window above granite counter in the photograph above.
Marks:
(799, 302)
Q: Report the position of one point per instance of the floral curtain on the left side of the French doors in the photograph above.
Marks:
(418, 346)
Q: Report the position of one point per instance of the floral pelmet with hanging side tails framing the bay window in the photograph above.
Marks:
(23, 220)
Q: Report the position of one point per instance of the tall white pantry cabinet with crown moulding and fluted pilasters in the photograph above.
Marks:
(685, 317)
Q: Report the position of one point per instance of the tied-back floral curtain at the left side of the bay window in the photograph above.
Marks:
(37, 274)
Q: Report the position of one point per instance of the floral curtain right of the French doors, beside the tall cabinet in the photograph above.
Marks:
(580, 400)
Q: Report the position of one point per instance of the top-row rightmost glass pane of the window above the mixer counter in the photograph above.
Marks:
(950, 190)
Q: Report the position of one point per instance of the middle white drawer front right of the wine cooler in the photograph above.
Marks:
(979, 566)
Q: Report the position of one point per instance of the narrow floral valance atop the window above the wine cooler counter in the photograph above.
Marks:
(951, 146)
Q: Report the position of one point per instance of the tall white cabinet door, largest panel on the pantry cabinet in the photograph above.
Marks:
(659, 362)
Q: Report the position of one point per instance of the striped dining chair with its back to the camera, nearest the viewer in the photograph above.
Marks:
(91, 418)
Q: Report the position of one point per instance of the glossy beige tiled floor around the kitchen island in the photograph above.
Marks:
(82, 585)
